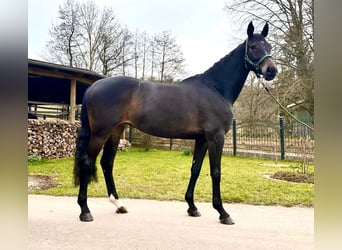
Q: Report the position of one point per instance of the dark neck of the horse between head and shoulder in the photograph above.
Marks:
(229, 74)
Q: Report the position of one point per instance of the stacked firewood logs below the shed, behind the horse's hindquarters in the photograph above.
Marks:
(55, 138)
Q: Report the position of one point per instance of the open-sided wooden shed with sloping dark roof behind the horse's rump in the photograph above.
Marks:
(52, 85)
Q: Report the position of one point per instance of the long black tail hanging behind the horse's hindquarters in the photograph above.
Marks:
(84, 168)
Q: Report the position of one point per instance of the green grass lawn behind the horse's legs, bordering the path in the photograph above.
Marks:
(164, 175)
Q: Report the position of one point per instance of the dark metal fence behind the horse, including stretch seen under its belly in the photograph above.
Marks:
(260, 139)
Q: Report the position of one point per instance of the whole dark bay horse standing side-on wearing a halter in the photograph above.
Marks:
(199, 108)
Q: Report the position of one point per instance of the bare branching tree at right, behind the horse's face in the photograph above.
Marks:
(292, 34)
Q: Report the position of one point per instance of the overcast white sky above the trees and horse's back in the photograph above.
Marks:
(201, 27)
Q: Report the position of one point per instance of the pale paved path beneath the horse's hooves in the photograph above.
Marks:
(53, 224)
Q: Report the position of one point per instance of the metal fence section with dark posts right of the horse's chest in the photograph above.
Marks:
(270, 140)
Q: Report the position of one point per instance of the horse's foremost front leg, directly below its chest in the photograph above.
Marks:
(215, 153)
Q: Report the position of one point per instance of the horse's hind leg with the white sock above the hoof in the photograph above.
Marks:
(107, 162)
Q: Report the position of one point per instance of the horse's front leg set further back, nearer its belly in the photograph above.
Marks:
(199, 153)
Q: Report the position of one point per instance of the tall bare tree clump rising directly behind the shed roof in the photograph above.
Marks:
(88, 37)
